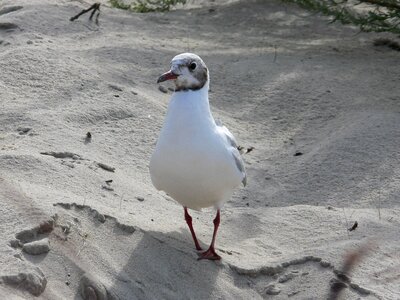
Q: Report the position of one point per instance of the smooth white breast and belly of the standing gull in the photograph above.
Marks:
(192, 161)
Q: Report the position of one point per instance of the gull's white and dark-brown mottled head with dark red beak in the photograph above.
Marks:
(188, 71)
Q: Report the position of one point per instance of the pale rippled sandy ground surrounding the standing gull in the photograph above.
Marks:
(318, 102)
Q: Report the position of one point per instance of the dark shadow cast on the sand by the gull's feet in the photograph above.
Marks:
(160, 261)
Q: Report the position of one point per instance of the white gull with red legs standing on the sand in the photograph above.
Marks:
(196, 160)
